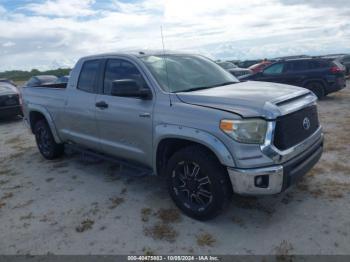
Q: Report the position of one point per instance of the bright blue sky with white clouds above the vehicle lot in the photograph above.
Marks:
(47, 34)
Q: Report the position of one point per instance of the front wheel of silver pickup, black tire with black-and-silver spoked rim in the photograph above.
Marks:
(198, 183)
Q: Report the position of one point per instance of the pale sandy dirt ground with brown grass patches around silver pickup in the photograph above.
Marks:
(77, 205)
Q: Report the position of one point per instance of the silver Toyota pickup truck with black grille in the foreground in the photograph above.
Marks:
(183, 117)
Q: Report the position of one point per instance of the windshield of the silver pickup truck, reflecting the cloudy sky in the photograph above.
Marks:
(184, 73)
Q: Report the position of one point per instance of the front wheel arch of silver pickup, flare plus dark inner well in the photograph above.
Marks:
(170, 138)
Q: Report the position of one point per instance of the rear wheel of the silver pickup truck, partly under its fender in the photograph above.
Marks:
(45, 141)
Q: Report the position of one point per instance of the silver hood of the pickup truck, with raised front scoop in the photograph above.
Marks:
(250, 99)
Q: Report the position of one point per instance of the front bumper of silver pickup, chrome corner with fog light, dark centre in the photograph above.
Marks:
(275, 179)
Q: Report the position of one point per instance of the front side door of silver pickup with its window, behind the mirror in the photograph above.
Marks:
(125, 124)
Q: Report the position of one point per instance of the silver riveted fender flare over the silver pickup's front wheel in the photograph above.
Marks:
(164, 131)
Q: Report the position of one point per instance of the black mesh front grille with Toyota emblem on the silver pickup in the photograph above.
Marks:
(291, 129)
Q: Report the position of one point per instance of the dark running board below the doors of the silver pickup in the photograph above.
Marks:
(139, 169)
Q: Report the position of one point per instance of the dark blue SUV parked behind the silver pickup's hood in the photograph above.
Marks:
(321, 76)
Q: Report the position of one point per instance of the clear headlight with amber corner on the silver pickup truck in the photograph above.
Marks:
(250, 131)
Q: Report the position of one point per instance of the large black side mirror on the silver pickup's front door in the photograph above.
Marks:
(130, 88)
